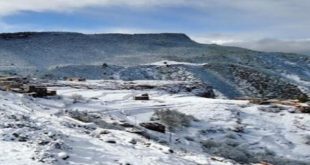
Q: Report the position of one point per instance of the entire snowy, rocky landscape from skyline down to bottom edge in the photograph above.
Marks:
(80, 99)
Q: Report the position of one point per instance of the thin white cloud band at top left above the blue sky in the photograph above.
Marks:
(8, 7)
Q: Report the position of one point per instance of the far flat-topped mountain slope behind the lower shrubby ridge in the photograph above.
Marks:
(48, 49)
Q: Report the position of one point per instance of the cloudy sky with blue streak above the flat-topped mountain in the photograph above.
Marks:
(270, 25)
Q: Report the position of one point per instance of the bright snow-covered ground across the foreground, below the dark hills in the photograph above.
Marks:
(86, 124)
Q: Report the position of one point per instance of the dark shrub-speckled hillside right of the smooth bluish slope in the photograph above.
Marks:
(258, 84)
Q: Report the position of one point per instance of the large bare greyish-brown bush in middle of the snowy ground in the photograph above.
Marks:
(173, 119)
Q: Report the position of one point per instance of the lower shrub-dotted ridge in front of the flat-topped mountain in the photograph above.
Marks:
(231, 80)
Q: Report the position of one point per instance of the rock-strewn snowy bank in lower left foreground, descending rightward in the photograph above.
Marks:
(45, 135)
